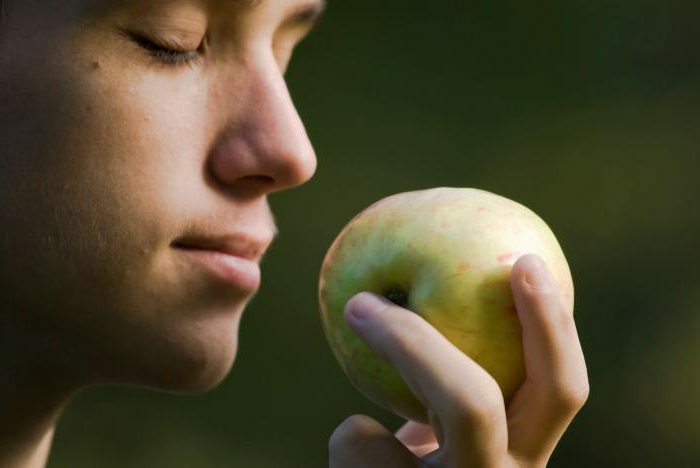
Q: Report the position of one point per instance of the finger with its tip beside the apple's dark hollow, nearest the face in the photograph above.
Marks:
(466, 402)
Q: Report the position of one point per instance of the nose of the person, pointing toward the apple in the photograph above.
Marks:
(263, 146)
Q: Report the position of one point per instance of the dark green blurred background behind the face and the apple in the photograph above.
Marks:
(586, 111)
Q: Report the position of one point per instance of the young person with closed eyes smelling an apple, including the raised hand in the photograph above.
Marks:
(139, 141)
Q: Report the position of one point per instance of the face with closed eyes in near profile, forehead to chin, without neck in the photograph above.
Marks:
(136, 138)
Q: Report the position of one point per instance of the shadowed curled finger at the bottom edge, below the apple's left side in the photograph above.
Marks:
(360, 441)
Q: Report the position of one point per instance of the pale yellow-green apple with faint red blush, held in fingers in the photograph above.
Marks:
(446, 254)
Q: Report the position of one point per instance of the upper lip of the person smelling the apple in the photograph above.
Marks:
(238, 244)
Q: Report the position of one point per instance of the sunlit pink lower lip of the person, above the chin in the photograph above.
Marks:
(235, 271)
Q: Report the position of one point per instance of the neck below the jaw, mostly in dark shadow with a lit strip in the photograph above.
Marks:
(33, 394)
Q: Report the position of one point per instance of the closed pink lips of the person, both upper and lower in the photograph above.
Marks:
(232, 259)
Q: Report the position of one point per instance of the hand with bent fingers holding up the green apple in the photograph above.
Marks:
(469, 424)
